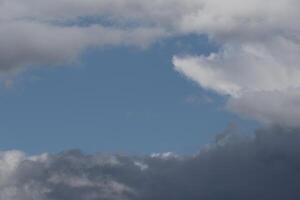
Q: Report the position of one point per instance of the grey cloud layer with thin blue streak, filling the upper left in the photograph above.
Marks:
(54, 32)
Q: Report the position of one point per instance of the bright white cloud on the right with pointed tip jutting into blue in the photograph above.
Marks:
(257, 65)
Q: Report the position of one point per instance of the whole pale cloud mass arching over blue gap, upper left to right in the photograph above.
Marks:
(257, 59)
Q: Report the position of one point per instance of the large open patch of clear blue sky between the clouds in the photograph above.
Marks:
(121, 99)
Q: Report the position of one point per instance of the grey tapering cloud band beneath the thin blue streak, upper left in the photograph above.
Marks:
(25, 44)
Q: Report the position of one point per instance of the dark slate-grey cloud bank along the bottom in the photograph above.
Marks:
(234, 167)
